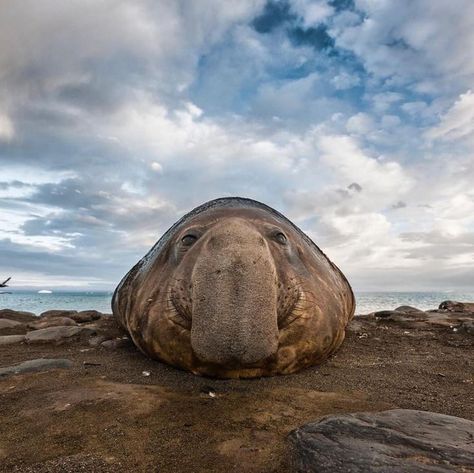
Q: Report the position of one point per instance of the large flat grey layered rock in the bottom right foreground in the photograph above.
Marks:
(398, 440)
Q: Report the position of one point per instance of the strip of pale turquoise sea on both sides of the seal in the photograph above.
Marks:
(367, 302)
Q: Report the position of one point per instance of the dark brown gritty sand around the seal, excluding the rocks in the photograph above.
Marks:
(110, 417)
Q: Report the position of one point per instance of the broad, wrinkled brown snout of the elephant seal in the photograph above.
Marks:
(234, 312)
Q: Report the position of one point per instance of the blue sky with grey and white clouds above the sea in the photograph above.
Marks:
(354, 118)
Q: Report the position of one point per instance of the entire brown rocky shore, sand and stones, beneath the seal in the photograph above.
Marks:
(76, 395)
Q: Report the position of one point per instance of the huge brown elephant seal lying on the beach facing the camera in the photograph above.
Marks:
(234, 289)
